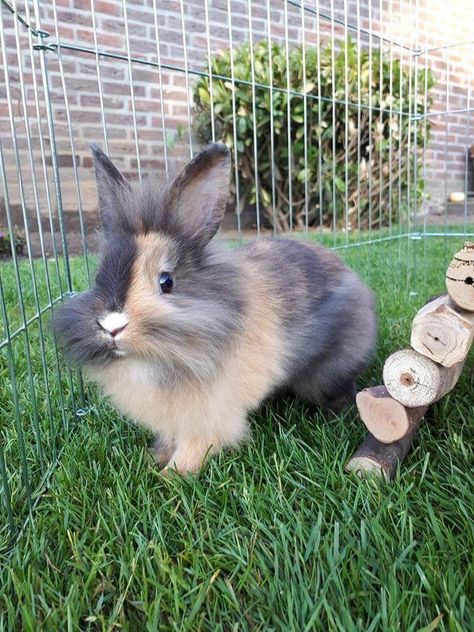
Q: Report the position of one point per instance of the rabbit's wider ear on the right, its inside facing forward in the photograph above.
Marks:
(198, 196)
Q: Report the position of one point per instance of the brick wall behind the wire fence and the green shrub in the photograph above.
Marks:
(75, 77)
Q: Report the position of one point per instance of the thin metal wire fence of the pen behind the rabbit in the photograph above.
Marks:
(349, 123)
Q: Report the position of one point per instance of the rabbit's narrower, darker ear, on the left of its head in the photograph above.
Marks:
(110, 186)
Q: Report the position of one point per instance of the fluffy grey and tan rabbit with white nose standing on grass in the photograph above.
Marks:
(186, 336)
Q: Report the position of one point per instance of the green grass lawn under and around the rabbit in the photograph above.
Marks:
(273, 537)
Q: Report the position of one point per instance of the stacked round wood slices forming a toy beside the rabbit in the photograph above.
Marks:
(442, 334)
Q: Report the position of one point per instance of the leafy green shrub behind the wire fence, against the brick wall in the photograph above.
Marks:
(372, 163)
